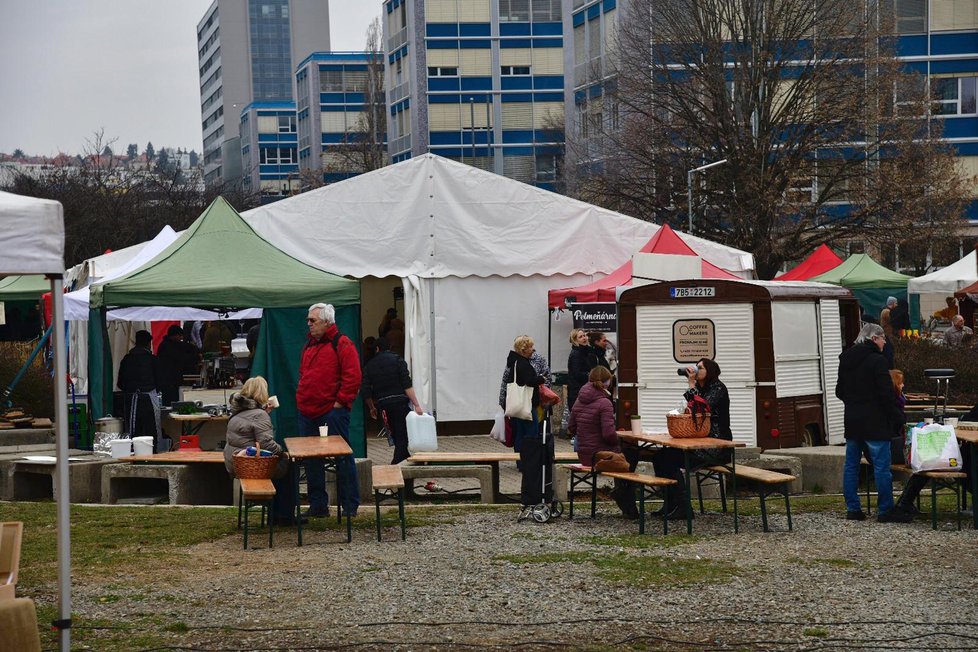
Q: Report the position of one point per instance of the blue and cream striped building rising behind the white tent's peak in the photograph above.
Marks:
(477, 81)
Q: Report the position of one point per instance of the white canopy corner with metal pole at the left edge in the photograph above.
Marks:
(33, 243)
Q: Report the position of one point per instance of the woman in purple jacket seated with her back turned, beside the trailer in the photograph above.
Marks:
(592, 421)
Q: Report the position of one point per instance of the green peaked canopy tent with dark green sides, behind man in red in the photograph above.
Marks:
(220, 263)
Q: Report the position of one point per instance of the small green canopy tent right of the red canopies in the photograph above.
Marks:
(871, 284)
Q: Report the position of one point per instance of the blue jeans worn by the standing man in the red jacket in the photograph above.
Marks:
(338, 421)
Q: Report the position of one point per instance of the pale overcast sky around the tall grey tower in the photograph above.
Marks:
(71, 67)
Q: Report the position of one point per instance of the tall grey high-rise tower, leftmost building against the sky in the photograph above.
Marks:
(247, 50)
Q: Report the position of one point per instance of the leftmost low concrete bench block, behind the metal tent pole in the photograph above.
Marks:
(26, 480)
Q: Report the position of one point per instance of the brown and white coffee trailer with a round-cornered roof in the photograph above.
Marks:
(777, 344)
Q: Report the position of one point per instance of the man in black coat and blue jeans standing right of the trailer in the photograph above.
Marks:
(871, 413)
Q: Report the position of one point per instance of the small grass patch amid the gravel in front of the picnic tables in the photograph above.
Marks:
(637, 570)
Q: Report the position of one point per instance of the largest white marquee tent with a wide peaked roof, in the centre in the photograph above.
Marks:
(476, 254)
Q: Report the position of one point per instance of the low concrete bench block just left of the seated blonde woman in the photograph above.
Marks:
(180, 484)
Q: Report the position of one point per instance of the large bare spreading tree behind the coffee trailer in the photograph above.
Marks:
(796, 95)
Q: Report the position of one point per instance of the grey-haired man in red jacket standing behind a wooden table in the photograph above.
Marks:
(329, 381)
